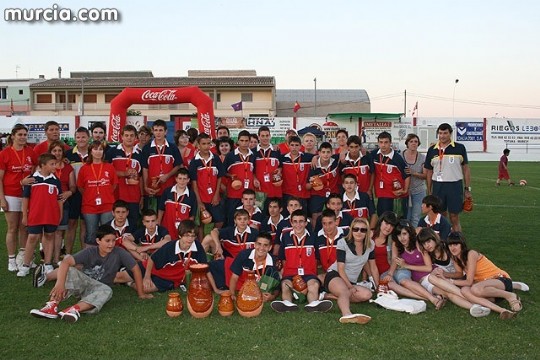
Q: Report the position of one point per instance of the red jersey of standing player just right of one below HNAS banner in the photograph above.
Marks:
(295, 175)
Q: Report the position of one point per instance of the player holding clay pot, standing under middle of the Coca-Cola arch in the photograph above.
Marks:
(160, 161)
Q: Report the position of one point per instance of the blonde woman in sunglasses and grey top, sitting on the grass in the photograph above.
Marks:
(352, 254)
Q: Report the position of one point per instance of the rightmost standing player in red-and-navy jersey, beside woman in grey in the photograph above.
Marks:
(388, 177)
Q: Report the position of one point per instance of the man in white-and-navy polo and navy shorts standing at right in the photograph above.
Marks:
(447, 171)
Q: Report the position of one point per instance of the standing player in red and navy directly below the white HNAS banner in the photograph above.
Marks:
(267, 164)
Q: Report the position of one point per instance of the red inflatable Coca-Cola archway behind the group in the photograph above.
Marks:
(130, 96)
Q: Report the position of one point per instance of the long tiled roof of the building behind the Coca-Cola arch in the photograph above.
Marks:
(111, 82)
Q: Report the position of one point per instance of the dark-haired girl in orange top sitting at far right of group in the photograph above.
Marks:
(484, 280)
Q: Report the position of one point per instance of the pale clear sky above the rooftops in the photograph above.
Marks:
(420, 47)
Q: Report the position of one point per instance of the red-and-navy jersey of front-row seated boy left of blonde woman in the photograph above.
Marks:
(298, 253)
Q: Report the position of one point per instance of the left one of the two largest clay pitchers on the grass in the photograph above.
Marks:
(200, 298)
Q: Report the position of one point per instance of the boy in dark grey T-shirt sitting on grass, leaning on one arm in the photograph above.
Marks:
(98, 267)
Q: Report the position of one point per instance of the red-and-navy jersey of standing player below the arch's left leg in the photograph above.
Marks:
(122, 161)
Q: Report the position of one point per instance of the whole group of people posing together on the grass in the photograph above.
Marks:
(326, 222)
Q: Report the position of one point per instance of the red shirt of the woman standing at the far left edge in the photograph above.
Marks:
(16, 165)
